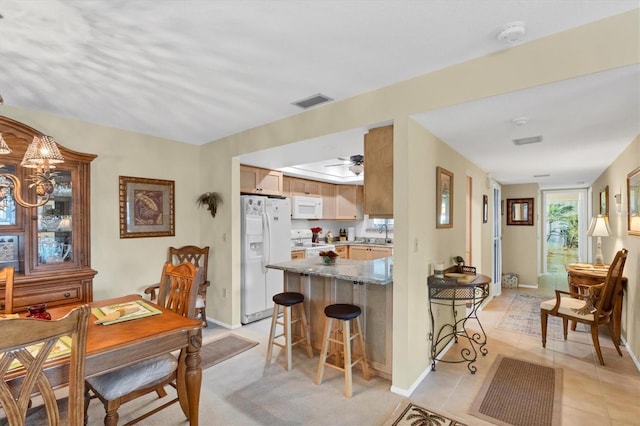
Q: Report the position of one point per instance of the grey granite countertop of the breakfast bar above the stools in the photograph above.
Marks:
(379, 271)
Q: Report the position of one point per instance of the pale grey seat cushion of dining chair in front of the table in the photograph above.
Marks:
(114, 384)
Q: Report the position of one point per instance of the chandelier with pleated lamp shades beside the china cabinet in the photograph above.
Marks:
(42, 154)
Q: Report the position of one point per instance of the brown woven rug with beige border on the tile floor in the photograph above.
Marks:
(520, 393)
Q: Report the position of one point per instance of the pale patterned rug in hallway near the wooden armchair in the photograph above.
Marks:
(523, 316)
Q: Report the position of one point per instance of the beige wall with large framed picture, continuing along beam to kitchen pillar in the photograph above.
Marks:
(127, 265)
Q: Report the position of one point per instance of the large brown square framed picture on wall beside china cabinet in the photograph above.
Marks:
(147, 207)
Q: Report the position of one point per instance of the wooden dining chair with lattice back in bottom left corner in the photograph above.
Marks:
(19, 335)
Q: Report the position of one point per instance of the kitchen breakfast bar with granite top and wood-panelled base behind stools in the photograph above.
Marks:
(367, 284)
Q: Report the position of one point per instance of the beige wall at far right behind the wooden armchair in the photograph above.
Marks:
(616, 178)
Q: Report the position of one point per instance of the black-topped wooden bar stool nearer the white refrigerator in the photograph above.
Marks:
(282, 315)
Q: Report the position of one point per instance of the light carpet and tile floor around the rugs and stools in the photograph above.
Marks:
(245, 391)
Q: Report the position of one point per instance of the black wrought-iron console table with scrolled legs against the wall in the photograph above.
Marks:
(454, 290)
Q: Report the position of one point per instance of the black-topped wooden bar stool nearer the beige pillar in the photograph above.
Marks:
(345, 314)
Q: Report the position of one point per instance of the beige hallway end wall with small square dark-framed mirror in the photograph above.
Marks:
(524, 260)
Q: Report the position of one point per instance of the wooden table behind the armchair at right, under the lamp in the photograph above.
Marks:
(583, 275)
